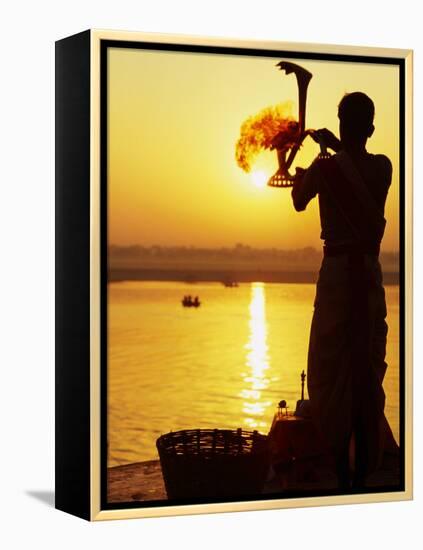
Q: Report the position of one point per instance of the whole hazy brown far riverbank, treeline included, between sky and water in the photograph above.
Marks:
(240, 263)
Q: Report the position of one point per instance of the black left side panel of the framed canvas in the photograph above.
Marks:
(72, 383)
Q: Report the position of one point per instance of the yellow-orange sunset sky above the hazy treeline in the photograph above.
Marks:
(174, 120)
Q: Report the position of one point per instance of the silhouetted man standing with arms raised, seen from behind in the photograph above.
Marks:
(346, 360)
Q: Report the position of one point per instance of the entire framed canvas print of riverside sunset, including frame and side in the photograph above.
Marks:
(233, 275)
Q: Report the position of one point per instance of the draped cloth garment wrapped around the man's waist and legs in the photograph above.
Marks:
(346, 360)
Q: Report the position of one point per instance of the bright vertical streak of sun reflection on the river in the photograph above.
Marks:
(257, 360)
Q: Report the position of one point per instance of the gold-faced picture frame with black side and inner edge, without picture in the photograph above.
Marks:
(81, 248)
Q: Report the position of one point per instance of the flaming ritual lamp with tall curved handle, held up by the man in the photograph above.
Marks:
(275, 129)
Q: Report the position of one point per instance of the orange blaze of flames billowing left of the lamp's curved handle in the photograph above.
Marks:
(272, 127)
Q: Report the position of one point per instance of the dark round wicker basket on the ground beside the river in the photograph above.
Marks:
(213, 463)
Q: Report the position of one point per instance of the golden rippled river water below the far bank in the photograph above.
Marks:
(226, 364)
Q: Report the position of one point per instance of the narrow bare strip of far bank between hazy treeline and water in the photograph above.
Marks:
(225, 276)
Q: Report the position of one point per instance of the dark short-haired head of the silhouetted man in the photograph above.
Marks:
(356, 112)
